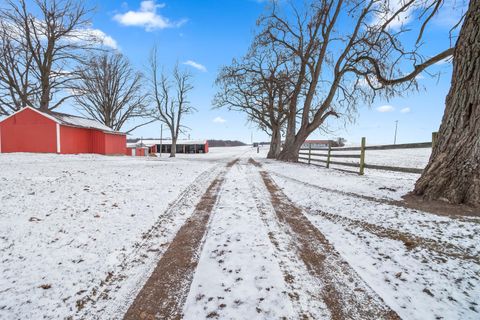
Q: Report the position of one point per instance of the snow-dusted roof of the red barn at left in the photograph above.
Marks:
(70, 120)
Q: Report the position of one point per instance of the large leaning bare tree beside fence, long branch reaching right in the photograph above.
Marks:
(342, 61)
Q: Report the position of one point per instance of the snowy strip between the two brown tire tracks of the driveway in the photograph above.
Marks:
(238, 275)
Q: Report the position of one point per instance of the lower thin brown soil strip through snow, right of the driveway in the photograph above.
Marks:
(411, 241)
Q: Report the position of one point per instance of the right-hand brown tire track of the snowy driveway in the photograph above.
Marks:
(344, 293)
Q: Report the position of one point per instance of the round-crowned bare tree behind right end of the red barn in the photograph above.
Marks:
(110, 91)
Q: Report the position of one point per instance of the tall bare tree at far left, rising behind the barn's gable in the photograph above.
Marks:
(42, 40)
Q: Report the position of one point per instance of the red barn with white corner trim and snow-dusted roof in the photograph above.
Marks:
(30, 130)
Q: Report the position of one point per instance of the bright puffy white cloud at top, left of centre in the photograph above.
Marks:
(146, 16)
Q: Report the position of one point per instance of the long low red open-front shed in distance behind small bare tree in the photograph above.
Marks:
(183, 146)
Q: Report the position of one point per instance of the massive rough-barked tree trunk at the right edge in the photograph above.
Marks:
(453, 172)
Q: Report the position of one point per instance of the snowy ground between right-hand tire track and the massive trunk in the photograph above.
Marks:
(403, 277)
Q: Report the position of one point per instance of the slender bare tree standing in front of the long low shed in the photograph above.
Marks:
(171, 97)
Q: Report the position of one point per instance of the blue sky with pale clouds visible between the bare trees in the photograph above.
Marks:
(210, 33)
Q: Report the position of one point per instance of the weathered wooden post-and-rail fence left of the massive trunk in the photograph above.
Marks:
(325, 155)
